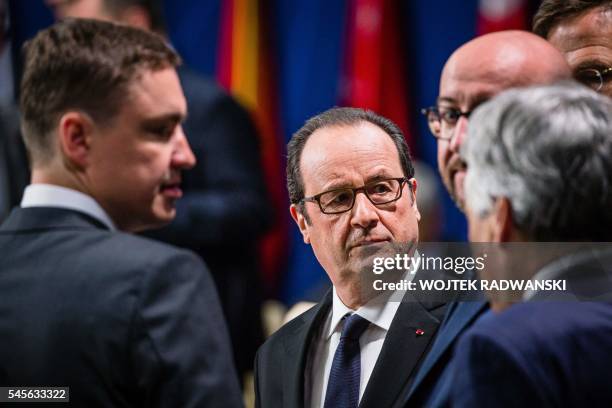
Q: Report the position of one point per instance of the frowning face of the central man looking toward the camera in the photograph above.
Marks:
(351, 156)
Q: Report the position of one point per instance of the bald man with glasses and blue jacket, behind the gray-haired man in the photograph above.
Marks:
(475, 72)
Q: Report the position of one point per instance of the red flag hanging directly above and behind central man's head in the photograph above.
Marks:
(374, 74)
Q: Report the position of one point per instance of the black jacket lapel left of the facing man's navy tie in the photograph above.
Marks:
(297, 346)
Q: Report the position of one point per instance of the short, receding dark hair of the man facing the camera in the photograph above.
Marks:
(339, 117)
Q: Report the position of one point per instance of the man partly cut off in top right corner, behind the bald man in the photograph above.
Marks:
(582, 31)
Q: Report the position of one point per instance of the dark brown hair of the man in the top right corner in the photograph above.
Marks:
(552, 12)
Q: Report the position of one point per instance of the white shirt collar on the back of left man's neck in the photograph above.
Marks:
(48, 195)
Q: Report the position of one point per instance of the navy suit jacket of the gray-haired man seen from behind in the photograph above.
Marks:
(543, 353)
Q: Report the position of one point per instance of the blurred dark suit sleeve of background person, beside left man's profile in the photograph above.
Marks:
(225, 196)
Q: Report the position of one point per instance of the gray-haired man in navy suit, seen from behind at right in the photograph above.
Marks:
(540, 172)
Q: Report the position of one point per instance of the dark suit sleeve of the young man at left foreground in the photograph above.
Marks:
(181, 355)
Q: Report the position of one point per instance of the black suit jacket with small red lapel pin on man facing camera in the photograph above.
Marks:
(281, 361)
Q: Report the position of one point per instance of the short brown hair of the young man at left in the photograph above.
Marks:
(85, 65)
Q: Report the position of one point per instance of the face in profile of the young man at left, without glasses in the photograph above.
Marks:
(135, 160)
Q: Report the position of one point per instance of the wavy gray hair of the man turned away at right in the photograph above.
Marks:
(548, 150)
